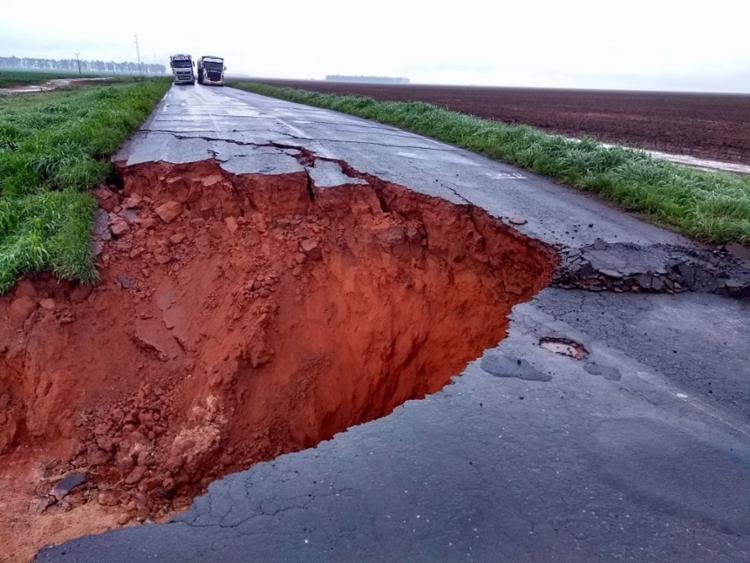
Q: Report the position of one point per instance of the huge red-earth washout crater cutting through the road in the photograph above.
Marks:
(238, 318)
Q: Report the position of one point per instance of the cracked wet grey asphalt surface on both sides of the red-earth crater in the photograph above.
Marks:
(639, 452)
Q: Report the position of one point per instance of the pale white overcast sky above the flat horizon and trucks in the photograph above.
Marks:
(633, 44)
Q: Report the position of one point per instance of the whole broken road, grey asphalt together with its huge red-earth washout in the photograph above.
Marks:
(257, 298)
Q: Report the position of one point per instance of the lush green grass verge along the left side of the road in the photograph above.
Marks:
(55, 147)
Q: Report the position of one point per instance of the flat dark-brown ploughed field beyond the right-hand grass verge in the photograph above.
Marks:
(712, 126)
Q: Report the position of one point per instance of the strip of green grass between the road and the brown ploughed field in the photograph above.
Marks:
(713, 207)
